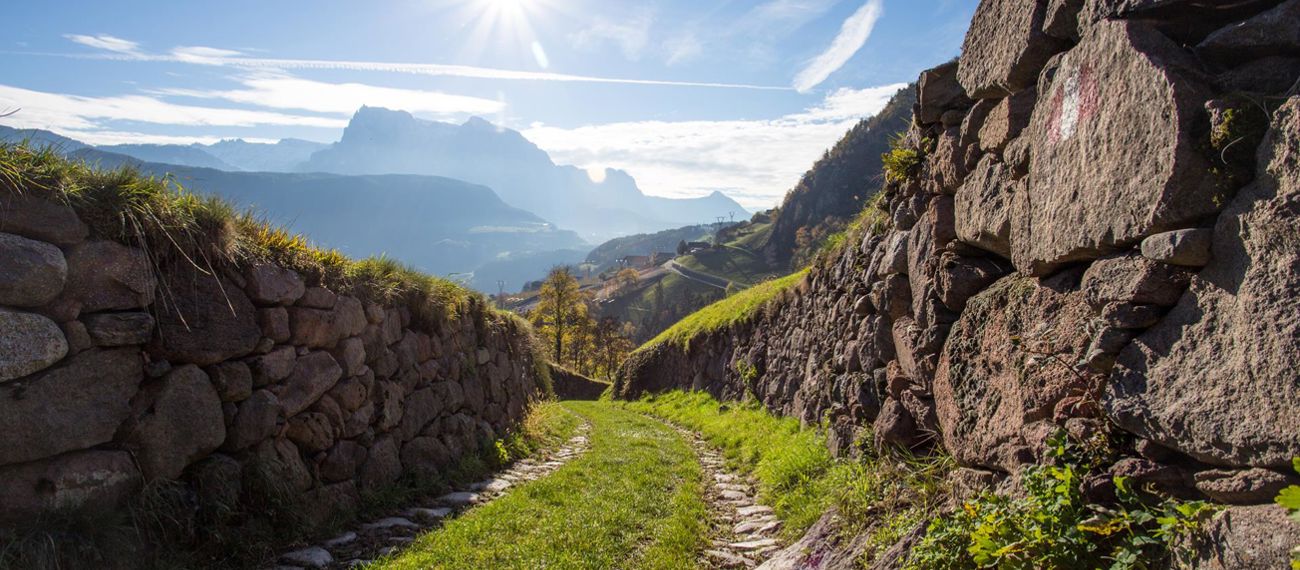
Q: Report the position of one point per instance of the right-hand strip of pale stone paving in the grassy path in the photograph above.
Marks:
(744, 532)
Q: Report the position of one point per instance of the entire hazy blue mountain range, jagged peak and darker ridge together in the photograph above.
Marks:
(470, 198)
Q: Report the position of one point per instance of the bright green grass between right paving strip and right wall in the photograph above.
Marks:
(886, 496)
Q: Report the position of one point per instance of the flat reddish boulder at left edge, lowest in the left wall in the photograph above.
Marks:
(80, 481)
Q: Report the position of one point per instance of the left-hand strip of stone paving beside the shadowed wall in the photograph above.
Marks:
(384, 536)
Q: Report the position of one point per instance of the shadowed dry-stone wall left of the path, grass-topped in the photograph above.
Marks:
(116, 373)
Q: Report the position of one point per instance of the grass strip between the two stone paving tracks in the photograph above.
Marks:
(632, 502)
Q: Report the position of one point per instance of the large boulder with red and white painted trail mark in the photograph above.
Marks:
(1120, 126)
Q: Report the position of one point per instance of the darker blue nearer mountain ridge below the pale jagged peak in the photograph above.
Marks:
(440, 226)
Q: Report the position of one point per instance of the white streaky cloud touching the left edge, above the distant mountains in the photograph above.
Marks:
(63, 113)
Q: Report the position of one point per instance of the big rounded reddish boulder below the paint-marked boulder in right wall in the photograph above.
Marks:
(1008, 364)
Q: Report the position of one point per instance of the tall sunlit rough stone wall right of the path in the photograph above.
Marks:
(1103, 235)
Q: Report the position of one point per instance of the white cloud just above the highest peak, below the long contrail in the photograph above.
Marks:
(283, 92)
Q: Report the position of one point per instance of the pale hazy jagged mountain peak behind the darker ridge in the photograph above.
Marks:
(380, 140)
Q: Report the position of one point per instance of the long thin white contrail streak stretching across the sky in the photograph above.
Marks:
(187, 55)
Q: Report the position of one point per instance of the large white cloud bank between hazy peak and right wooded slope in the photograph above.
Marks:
(755, 162)
